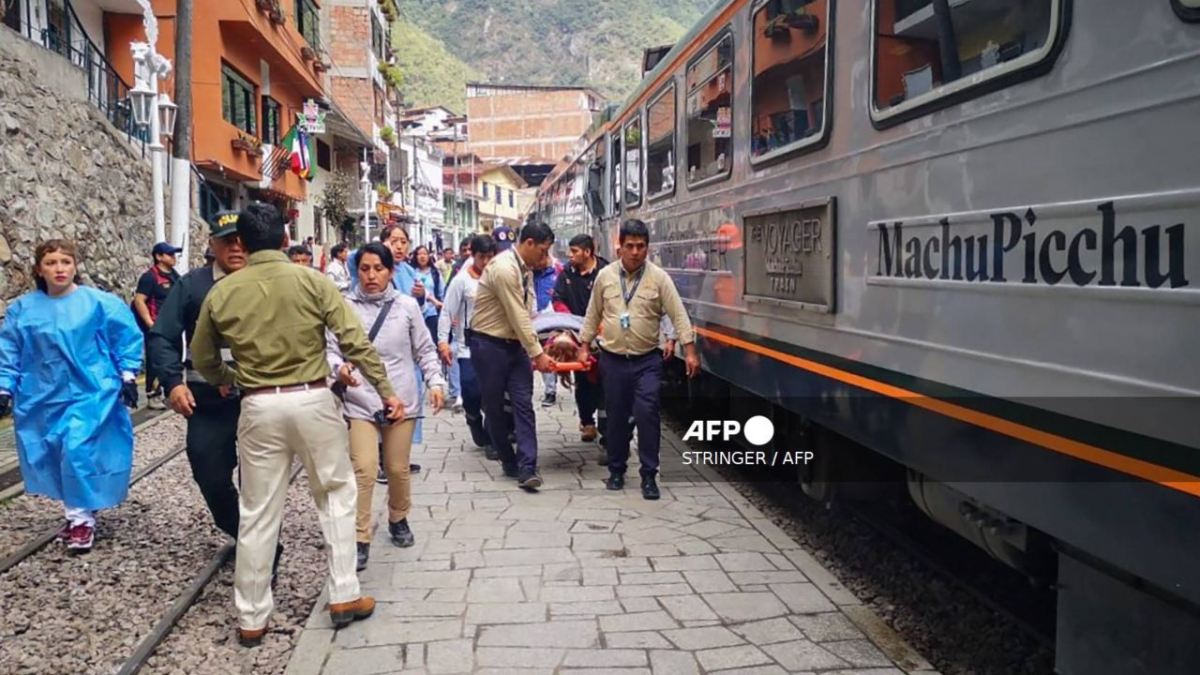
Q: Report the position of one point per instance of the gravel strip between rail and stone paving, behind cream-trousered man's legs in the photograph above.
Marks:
(206, 638)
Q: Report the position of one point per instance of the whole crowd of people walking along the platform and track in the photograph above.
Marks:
(272, 361)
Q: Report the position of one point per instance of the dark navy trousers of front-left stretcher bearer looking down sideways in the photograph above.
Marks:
(503, 368)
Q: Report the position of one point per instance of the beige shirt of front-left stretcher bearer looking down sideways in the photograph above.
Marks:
(506, 302)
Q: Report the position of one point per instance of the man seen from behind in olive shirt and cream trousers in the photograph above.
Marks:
(273, 315)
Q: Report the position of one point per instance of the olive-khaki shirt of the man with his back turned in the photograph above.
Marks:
(274, 315)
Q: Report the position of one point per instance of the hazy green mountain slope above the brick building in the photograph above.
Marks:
(595, 43)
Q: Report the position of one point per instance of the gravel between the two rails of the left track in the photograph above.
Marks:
(86, 614)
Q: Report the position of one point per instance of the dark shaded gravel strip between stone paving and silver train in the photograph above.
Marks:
(956, 632)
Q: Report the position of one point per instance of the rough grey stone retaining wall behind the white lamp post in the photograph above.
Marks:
(65, 172)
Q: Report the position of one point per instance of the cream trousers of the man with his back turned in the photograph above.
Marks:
(273, 431)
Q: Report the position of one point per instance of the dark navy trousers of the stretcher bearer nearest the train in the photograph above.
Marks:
(632, 390)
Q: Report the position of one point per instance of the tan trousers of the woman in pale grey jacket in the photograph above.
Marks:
(398, 450)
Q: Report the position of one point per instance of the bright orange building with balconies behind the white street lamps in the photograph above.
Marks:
(253, 69)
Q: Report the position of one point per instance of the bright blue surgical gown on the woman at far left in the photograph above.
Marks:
(62, 360)
